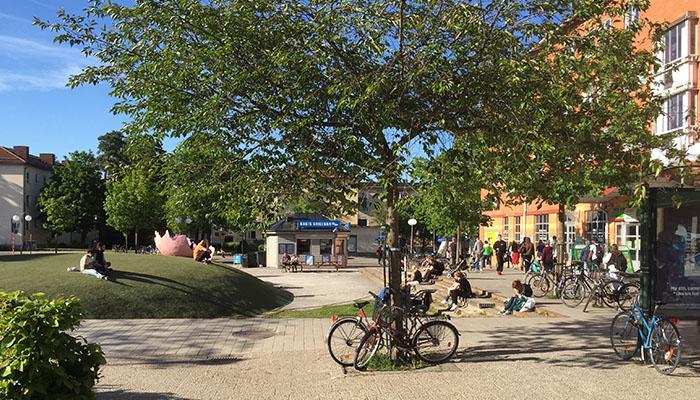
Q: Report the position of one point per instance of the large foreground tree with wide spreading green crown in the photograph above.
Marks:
(321, 95)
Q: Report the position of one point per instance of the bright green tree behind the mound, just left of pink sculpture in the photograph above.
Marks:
(134, 200)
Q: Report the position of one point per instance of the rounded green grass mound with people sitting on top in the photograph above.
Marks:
(145, 286)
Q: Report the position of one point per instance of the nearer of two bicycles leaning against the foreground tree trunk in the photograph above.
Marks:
(431, 340)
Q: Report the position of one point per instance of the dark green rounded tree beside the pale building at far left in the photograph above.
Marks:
(72, 200)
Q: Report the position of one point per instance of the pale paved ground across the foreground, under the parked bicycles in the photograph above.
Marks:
(499, 358)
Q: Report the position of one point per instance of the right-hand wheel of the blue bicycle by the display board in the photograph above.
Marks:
(665, 346)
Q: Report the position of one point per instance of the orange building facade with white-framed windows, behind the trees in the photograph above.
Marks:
(605, 217)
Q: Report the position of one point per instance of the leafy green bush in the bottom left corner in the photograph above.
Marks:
(38, 358)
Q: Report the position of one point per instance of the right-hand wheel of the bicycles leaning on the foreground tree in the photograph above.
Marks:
(436, 342)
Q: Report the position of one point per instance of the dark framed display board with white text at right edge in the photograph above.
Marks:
(677, 272)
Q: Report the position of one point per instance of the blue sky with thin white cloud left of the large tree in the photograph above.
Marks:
(36, 109)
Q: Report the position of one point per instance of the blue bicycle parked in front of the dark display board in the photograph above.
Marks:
(657, 336)
